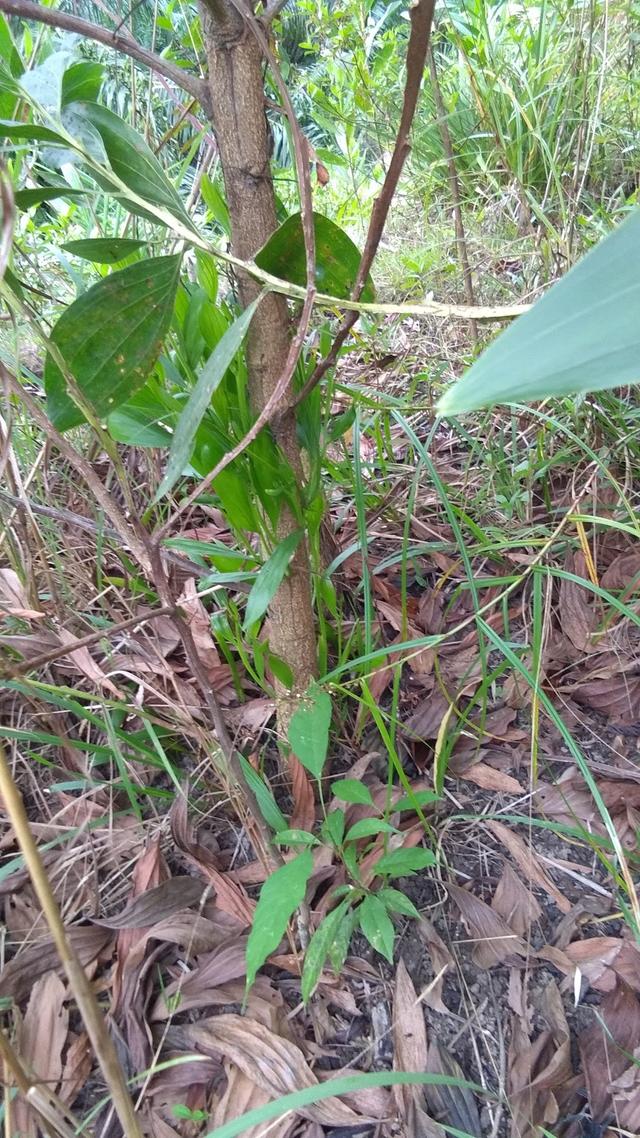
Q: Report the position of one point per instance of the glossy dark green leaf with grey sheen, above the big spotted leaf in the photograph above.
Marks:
(133, 161)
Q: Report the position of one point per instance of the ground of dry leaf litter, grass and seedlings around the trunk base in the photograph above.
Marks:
(470, 843)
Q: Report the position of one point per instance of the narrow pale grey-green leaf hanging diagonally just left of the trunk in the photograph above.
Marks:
(210, 378)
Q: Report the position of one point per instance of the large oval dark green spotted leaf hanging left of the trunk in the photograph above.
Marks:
(110, 339)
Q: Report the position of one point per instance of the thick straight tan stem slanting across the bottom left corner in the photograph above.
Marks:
(101, 1040)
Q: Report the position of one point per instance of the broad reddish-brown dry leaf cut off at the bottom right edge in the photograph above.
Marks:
(605, 1050)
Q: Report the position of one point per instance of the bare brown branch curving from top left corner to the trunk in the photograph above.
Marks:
(28, 10)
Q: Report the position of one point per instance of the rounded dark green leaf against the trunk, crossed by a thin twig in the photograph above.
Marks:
(338, 259)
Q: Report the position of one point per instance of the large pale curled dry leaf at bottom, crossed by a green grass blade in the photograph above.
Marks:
(275, 1063)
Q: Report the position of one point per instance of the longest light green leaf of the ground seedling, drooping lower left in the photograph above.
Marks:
(280, 898)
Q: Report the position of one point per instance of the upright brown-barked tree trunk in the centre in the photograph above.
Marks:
(241, 128)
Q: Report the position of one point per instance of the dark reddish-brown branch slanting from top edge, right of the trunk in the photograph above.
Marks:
(422, 17)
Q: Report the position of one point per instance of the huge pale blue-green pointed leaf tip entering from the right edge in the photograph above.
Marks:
(582, 336)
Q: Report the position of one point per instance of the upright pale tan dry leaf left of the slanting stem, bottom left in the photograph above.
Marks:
(43, 1037)
